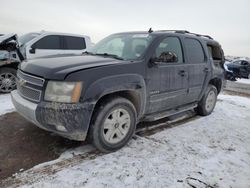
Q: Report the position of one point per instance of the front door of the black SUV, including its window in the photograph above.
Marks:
(167, 81)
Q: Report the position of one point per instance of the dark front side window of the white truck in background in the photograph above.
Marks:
(48, 42)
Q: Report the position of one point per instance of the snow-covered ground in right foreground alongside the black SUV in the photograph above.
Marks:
(212, 150)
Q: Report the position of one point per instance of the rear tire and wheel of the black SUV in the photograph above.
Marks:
(208, 101)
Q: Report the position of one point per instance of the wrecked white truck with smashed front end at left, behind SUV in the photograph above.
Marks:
(14, 49)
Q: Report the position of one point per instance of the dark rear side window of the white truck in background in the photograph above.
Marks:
(74, 43)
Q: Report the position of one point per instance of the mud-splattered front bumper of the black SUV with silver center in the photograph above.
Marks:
(68, 120)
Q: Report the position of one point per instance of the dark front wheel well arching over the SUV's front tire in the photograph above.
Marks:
(132, 96)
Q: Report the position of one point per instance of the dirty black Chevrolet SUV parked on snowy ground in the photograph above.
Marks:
(126, 78)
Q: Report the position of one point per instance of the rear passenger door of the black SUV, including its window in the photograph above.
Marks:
(198, 68)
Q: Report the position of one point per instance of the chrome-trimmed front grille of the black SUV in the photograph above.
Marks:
(29, 87)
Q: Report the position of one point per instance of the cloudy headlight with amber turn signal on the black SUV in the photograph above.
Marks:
(67, 92)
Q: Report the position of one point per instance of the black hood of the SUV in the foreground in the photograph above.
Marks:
(57, 68)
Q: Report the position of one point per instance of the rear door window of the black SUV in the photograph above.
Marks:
(195, 53)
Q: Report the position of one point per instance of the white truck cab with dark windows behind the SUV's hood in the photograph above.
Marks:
(34, 45)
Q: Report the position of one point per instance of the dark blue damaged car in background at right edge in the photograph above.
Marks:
(237, 69)
